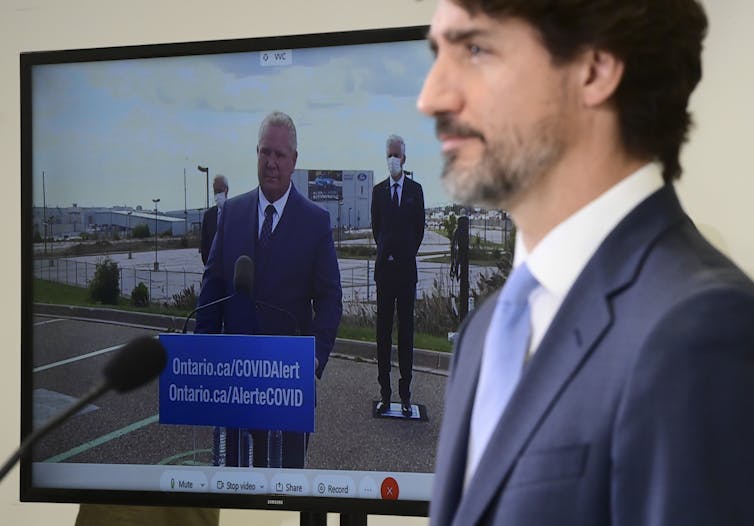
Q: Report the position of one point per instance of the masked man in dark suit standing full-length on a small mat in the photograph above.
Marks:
(398, 229)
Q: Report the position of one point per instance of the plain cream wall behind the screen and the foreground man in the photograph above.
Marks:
(717, 189)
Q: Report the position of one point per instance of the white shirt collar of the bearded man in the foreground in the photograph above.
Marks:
(563, 253)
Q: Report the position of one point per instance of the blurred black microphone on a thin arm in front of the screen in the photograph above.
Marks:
(138, 362)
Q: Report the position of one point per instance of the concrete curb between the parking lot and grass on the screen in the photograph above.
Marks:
(423, 359)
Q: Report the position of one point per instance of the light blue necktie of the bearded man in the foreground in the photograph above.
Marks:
(502, 361)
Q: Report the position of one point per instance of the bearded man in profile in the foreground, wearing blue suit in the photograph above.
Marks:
(611, 381)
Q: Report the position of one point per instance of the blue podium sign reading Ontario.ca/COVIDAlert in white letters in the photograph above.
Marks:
(255, 382)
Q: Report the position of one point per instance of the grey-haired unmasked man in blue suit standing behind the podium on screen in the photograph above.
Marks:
(296, 277)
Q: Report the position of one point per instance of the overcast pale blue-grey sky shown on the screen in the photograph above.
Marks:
(122, 132)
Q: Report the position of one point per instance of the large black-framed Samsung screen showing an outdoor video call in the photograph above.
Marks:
(120, 150)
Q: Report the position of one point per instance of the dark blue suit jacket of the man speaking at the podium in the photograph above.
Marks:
(296, 287)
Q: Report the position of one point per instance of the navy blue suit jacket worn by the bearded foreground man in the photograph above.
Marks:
(638, 406)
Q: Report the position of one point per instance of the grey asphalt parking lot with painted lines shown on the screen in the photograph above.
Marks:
(68, 358)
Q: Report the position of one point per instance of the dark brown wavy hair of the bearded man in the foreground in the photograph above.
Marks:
(660, 44)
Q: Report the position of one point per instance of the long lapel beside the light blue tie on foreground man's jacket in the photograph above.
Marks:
(575, 332)
